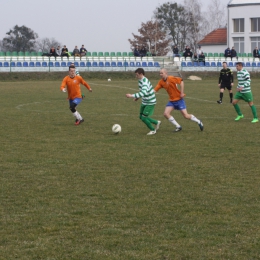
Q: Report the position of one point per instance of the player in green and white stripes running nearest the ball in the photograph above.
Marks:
(147, 94)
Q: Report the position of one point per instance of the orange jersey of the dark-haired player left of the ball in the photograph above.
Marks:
(73, 86)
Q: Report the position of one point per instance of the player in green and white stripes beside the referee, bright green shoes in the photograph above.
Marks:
(244, 92)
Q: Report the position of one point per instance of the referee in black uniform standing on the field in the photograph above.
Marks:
(225, 81)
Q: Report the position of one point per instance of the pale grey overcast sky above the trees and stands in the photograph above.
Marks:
(101, 25)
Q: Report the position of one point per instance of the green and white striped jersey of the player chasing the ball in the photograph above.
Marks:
(146, 92)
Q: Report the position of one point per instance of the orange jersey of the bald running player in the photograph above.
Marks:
(170, 85)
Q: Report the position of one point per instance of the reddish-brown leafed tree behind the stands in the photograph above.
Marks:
(153, 37)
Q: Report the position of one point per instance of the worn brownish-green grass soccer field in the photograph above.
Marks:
(81, 192)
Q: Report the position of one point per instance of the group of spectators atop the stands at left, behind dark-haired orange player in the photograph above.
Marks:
(64, 52)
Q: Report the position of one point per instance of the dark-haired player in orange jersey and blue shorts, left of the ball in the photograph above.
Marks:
(72, 81)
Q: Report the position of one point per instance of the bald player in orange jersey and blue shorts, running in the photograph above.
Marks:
(176, 101)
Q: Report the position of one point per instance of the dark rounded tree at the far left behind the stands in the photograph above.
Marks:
(20, 39)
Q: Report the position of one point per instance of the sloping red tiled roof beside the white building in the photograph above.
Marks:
(216, 37)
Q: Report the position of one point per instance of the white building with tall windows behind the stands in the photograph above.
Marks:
(243, 25)
